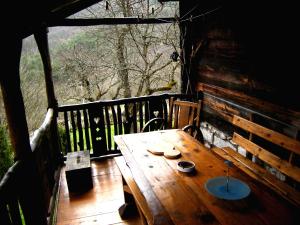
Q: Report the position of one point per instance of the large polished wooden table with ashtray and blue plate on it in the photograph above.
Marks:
(166, 196)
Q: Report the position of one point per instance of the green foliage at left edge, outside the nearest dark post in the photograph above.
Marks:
(6, 156)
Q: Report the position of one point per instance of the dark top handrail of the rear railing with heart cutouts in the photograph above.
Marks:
(63, 108)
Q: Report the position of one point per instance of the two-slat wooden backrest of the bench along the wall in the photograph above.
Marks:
(285, 166)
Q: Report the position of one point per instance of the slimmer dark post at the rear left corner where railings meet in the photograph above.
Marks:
(41, 38)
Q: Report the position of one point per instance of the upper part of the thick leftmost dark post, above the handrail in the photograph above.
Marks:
(13, 101)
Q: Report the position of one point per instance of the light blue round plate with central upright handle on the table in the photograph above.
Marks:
(236, 189)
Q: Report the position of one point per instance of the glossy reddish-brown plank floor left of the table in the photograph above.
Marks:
(100, 204)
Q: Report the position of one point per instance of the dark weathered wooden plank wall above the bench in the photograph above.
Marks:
(242, 59)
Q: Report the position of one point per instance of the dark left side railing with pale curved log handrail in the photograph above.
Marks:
(28, 189)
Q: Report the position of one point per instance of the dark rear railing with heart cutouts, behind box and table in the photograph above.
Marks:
(91, 126)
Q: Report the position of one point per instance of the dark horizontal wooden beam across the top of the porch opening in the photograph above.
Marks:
(110, 21)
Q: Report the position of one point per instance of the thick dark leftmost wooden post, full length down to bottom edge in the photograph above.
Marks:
(28, 182)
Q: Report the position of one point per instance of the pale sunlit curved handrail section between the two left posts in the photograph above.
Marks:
(39, 133)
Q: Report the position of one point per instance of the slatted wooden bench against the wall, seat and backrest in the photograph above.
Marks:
(266, 157)
